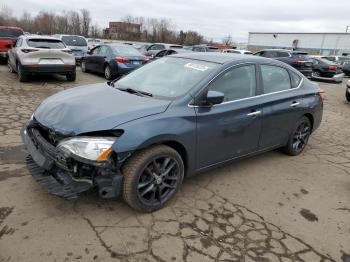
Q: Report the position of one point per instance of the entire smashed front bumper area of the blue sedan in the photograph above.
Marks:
(64, 176)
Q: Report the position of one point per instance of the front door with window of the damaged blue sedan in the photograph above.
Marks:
(232, 128)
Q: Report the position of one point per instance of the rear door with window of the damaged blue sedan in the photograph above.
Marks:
(282, 104)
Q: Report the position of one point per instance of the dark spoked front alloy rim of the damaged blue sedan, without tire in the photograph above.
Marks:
(158, 180)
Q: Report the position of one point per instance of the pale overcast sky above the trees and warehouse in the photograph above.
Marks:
(214, 19)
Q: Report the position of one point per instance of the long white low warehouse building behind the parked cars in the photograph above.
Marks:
(312, 43)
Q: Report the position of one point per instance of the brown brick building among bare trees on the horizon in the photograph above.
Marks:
(123, 30)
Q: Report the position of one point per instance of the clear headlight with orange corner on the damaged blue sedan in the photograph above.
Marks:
(91, 148)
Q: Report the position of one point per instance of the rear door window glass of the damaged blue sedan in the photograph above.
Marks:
(274, 79)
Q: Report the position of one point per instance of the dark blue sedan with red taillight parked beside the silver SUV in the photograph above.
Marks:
(113, 60)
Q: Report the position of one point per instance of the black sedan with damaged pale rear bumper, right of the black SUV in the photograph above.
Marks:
(327, 70)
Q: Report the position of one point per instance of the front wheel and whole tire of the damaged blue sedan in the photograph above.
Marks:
(148, 184)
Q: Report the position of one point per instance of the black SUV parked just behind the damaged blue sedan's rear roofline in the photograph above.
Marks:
(298, 60)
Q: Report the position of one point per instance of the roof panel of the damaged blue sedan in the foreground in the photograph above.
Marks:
(222, 58)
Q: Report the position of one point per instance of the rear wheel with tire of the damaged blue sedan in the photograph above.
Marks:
(299, 137)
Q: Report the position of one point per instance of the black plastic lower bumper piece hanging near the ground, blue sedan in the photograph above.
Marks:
(58, 183)
